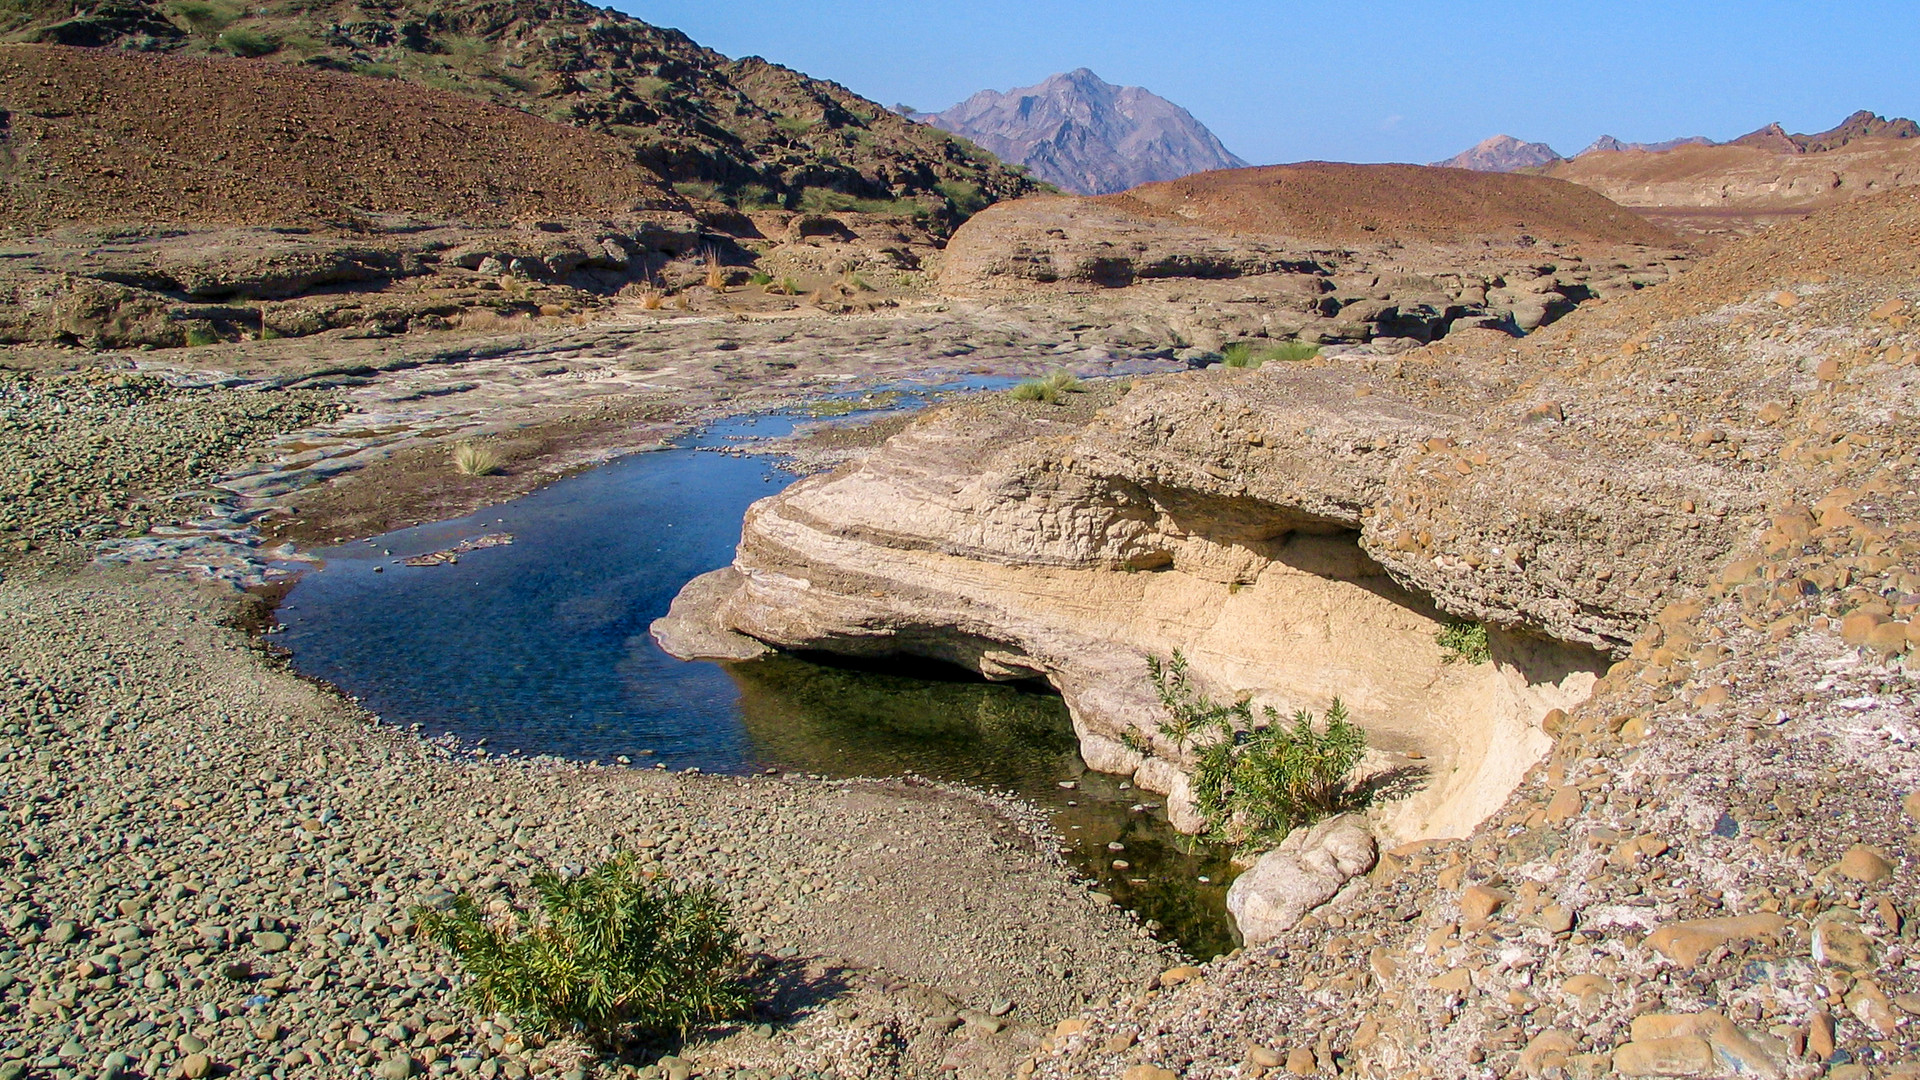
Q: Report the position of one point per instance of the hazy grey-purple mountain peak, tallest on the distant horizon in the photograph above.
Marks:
(1086, 135)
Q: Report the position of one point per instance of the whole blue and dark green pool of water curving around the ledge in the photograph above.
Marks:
(540, 647)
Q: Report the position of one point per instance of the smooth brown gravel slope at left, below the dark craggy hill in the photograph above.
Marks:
(108, 137)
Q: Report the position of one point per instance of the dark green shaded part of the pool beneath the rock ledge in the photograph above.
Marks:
(938, 724)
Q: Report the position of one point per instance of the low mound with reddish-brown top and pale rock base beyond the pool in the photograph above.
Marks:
(1335, 255)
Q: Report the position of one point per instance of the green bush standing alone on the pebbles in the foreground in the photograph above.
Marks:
(608, 952)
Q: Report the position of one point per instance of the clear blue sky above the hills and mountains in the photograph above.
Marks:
(1351, 82)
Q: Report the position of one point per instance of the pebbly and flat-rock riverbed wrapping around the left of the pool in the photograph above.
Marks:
(210, 864)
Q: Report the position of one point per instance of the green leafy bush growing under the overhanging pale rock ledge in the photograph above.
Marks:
(1259, 783)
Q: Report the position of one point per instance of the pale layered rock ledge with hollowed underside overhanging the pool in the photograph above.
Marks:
(1297, 531)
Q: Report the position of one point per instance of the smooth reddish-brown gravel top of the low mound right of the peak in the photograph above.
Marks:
(1393, 203)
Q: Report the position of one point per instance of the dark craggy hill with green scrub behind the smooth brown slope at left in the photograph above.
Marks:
(748, 132)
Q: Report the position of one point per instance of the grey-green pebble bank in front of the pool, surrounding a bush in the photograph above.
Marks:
(210, 856)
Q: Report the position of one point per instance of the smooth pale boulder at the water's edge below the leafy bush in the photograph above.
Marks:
(1297, 877)
